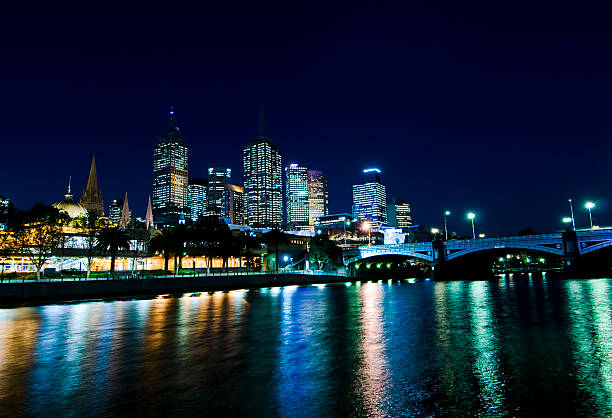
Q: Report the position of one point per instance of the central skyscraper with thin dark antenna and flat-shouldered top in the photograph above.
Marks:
(263, 181)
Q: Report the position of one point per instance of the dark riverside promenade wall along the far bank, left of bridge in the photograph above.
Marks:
(20, 292)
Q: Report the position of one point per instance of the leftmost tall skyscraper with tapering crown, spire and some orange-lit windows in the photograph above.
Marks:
(170, 175)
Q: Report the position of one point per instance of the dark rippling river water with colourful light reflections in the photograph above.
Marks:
(505, 347)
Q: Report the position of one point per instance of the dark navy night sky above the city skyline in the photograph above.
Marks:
(506, 112)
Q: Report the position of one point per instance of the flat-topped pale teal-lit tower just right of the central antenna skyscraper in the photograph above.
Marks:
(296, 195)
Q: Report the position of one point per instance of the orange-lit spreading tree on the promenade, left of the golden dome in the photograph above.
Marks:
(38, 234)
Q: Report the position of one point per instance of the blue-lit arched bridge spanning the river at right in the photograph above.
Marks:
(568, 244)
